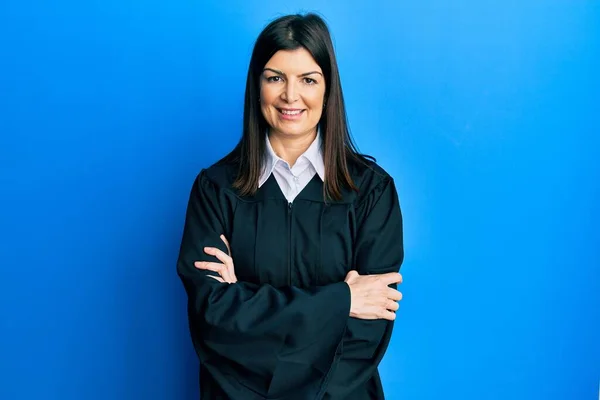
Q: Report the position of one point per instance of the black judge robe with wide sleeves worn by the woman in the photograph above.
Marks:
(283, 331)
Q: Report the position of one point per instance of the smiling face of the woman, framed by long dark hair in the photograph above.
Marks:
(292, 91)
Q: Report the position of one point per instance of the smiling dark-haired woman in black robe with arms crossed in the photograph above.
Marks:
(291, 242)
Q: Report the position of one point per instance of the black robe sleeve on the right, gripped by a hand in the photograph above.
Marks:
(378, 249)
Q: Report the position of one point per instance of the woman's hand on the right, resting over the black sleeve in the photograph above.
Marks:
(371, 297)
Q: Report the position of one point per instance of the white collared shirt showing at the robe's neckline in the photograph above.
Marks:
(293, 179)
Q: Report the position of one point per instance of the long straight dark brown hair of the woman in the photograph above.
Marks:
(289, 33)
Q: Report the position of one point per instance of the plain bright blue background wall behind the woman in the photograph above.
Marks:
(485, 112)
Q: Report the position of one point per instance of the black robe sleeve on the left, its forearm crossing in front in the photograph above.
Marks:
(243, 329)
